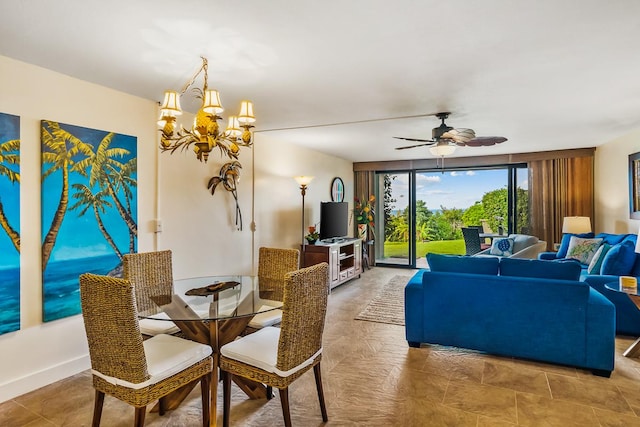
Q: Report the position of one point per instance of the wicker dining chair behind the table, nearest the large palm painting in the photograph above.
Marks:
(151, 274)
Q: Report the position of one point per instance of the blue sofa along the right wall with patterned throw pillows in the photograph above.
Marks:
(623, 262)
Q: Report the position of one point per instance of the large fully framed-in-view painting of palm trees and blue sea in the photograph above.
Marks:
(89, 209)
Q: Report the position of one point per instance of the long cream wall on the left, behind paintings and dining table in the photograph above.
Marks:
(199, 228)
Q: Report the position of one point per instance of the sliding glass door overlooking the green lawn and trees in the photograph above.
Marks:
(424, 211)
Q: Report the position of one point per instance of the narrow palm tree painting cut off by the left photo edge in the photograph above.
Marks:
(10, 223)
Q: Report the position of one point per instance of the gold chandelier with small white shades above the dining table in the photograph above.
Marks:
(204, 135)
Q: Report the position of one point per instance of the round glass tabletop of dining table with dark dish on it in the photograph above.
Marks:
(210, 298)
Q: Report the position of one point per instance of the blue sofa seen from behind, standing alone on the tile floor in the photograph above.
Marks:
(529, 309)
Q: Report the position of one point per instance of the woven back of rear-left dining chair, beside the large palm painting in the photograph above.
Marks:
(151, 274)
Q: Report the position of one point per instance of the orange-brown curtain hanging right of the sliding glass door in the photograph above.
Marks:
(558, 188)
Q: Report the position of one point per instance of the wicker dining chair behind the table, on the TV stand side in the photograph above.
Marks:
(273, 264)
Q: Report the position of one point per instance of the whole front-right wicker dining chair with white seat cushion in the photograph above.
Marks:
(278, 356)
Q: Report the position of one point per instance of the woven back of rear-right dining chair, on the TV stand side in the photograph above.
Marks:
(273, 264)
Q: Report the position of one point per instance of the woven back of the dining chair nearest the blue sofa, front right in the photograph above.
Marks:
(303, 315)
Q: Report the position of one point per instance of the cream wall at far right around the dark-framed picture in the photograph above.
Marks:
(612, 185)
